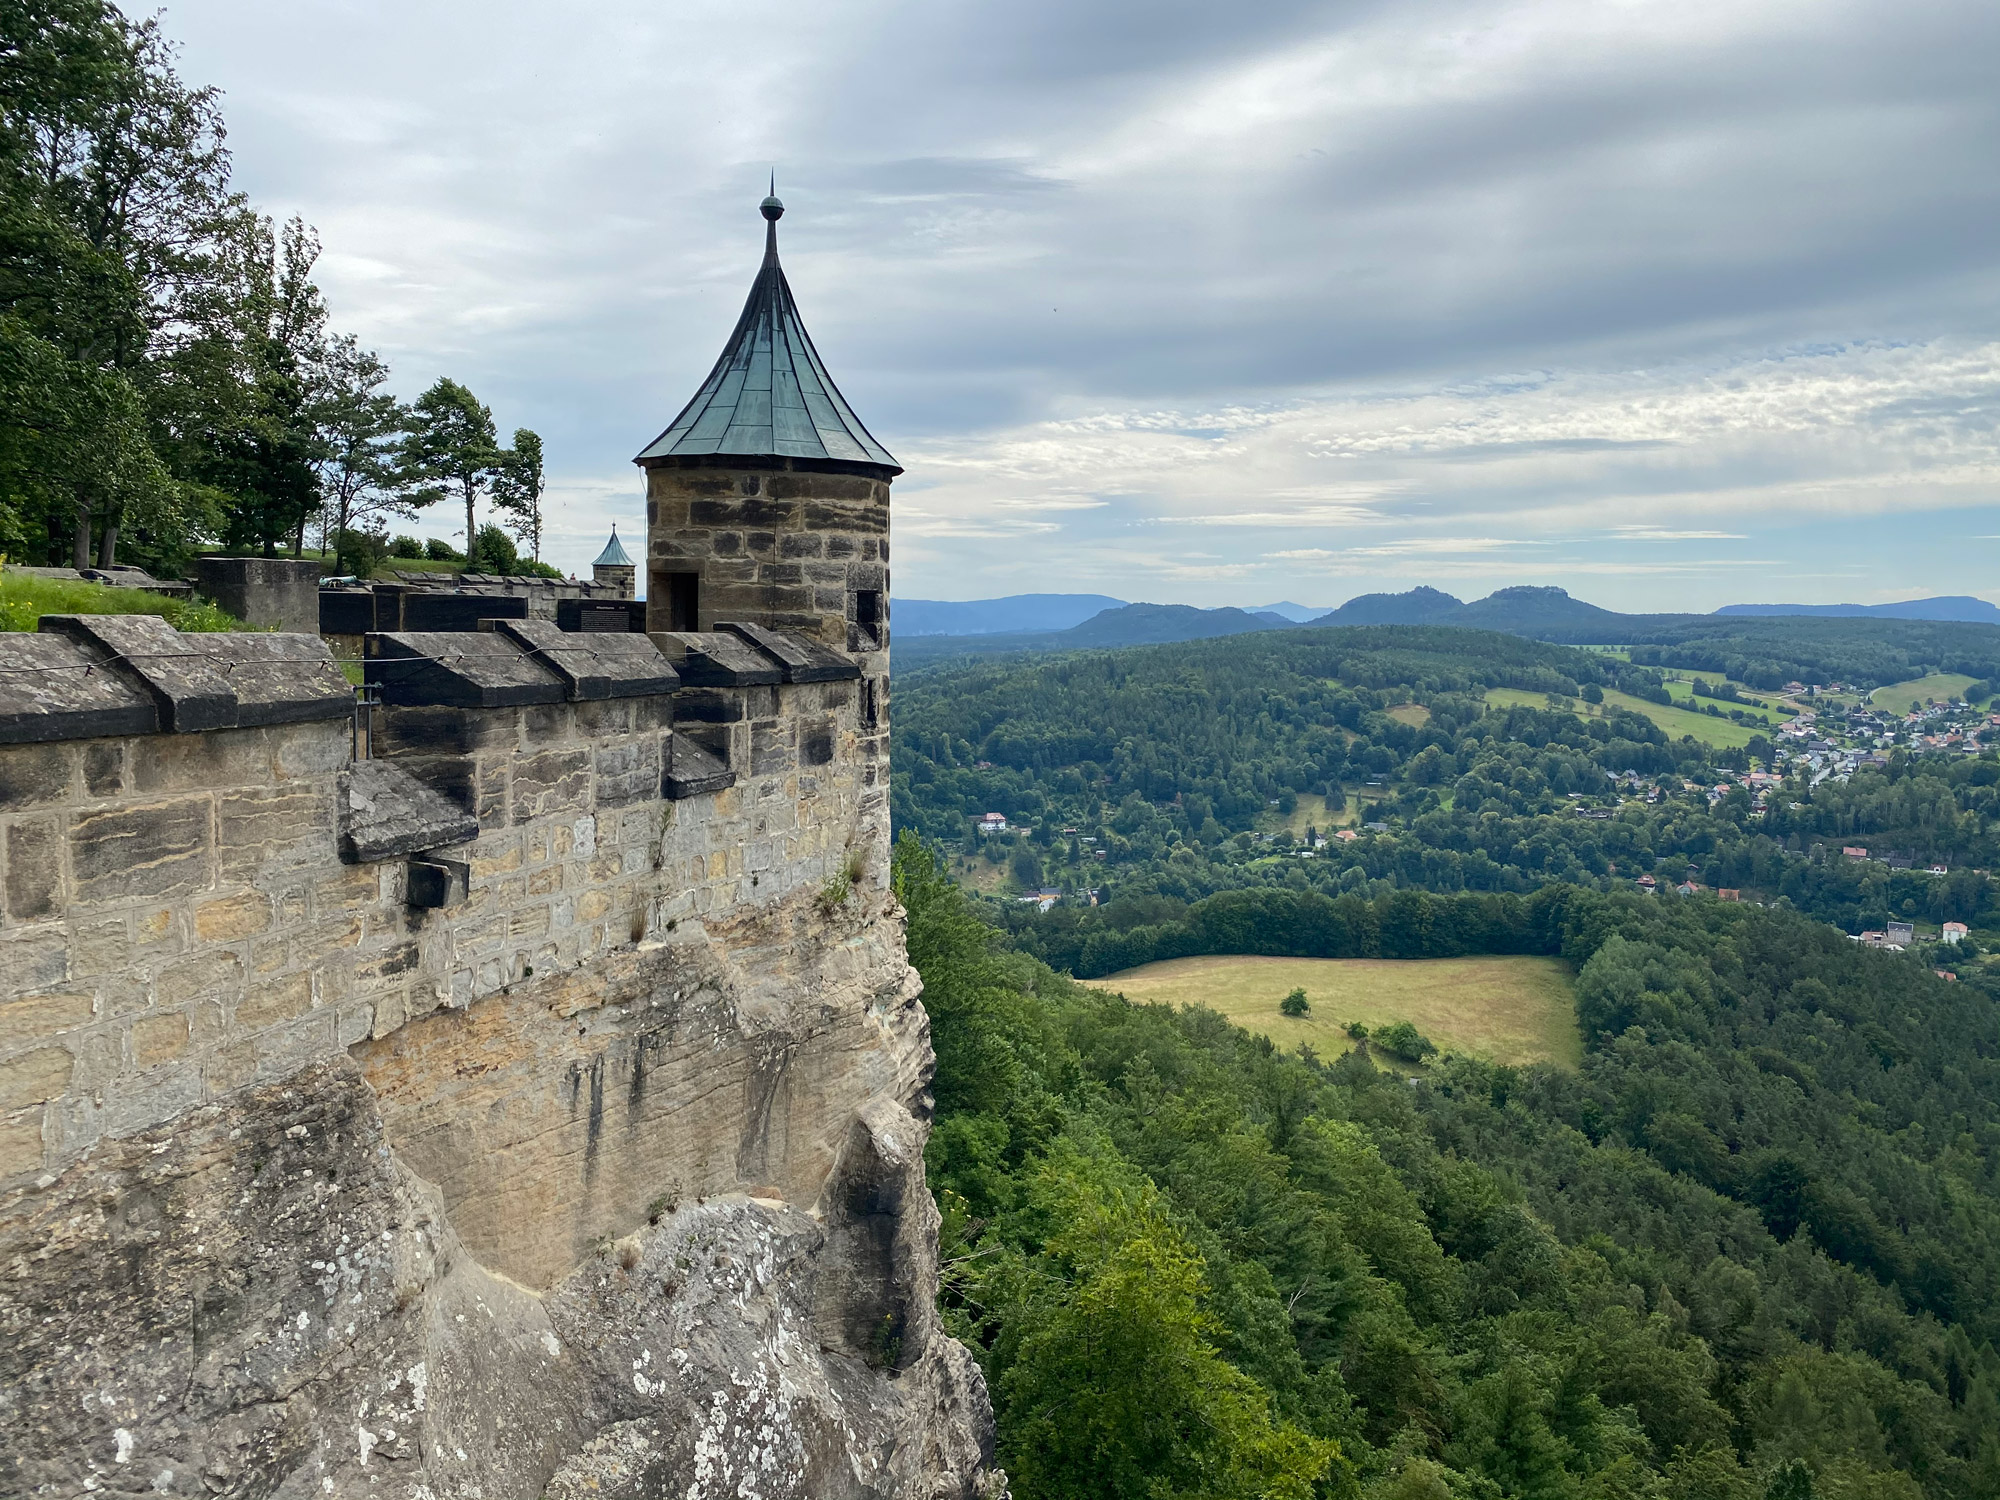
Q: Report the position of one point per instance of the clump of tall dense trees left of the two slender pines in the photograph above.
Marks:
(167, 369)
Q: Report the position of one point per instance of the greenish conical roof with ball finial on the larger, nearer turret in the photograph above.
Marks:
(769, 395)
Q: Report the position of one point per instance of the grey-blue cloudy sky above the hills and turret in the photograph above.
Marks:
(1671, 303)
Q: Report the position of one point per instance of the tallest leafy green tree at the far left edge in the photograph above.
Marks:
(115, 223)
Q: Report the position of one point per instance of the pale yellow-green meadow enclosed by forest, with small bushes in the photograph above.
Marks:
(1499, 1009)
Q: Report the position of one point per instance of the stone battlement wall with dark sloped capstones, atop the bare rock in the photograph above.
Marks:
(209, 889)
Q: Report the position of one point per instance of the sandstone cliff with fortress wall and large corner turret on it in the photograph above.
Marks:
(511, 1089)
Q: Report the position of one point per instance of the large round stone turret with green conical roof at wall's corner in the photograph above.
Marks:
(767, 499)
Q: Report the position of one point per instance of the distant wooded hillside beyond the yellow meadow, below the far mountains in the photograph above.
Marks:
(1147, 773)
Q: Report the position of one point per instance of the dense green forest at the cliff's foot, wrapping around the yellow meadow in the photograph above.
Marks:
(1749, 1251)
